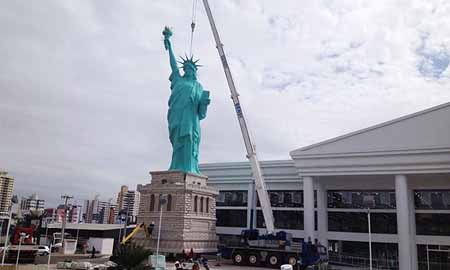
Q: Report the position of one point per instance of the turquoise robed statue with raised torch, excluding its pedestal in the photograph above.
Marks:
(188, 103)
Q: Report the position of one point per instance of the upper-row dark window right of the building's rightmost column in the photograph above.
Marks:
(432, 199)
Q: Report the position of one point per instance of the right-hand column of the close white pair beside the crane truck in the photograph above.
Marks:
(322, 214)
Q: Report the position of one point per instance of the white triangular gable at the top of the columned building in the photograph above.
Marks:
(427, 129)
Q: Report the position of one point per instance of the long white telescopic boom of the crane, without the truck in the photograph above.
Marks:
(251, 152)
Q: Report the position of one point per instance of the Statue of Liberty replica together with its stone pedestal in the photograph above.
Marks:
(181, 195)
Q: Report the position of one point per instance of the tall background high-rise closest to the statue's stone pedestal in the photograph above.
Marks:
(128, 202)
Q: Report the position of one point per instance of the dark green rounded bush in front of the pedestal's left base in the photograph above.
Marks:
(130, 257)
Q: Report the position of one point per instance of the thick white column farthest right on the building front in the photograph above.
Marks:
(406, 237)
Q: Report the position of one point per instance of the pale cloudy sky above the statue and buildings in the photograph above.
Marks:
(84, 84)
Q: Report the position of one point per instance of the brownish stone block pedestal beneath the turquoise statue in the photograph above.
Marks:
(188, 218)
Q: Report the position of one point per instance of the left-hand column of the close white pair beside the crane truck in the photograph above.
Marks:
(308, 206)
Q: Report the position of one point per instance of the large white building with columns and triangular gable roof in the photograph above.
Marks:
(397, 171)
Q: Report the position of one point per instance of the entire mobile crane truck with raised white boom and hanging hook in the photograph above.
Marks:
(272, 249)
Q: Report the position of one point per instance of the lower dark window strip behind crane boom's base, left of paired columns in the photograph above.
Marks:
(283, 219)
